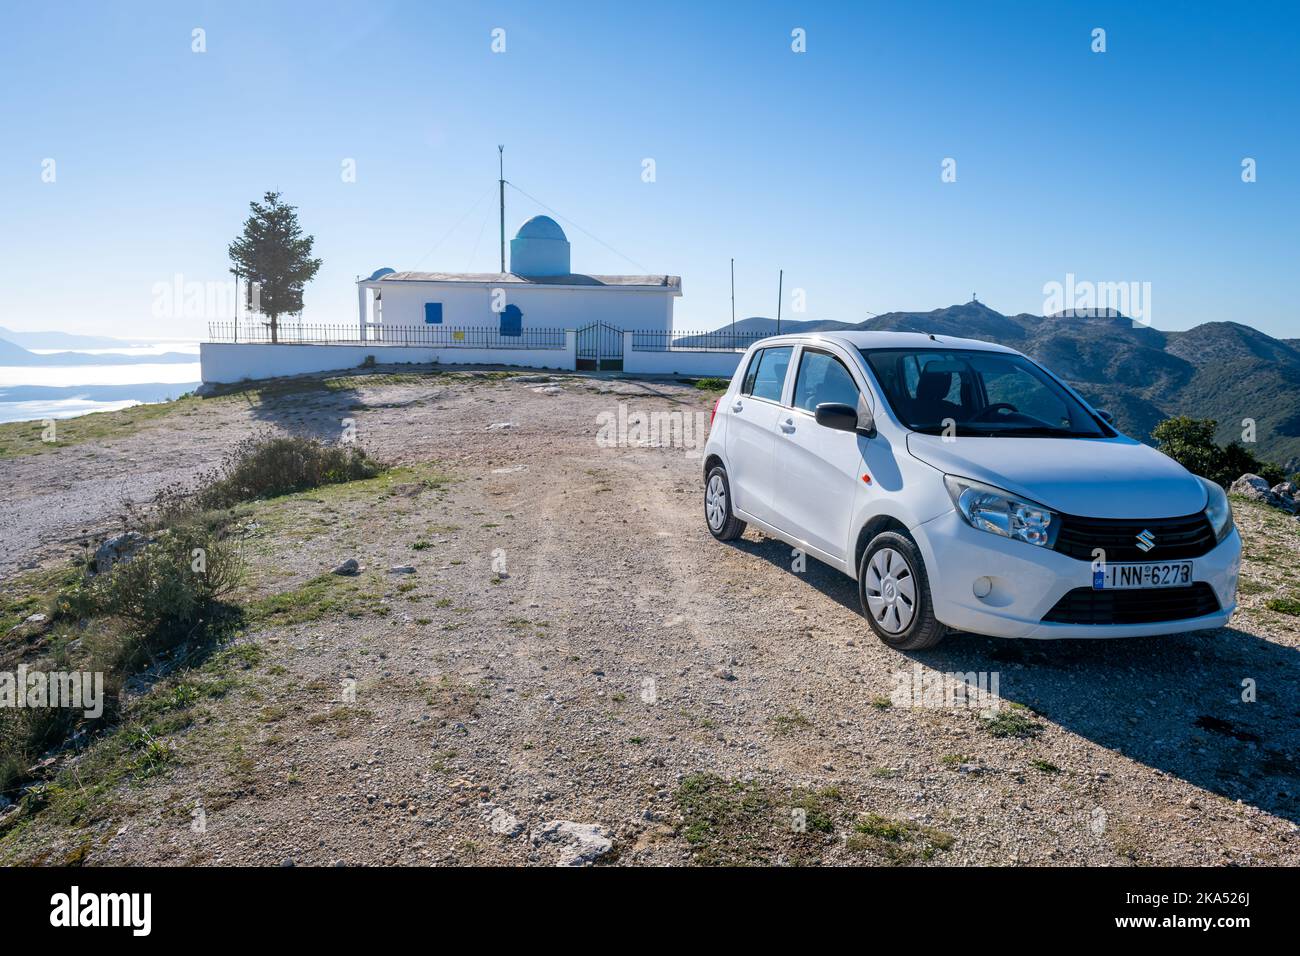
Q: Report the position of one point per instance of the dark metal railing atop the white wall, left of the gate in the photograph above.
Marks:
(350, 334)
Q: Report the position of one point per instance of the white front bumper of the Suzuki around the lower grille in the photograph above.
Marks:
(1029, 582)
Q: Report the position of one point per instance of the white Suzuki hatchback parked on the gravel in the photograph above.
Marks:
(965, 488)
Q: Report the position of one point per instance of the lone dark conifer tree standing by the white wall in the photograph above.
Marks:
(275, 256)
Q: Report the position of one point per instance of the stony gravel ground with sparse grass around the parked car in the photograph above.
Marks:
(574, 648)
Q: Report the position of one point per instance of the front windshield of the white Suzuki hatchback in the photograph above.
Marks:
(978, 393)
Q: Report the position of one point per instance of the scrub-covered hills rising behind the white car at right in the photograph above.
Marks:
(1223, 371)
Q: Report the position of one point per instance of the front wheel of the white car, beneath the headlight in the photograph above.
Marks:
(894, 590)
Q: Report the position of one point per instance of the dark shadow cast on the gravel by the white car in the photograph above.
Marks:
(1219, 710)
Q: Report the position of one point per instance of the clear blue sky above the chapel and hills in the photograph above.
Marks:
(1117, 167)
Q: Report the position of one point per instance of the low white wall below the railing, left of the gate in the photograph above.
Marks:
(227, 364)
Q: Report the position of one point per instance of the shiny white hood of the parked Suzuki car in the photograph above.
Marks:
(1094, 478)
